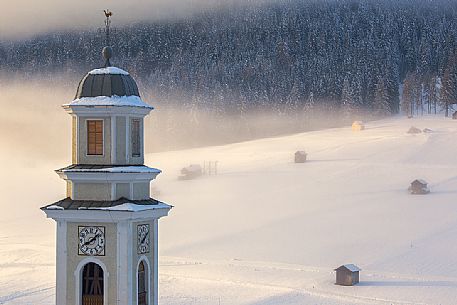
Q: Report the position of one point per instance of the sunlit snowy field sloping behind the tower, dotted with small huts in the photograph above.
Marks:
(268, 231)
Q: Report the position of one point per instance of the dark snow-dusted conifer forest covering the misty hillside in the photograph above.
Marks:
(291, 56)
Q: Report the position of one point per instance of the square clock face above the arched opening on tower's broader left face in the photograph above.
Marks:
(91, 241)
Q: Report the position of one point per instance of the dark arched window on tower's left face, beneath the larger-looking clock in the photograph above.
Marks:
(92, 285)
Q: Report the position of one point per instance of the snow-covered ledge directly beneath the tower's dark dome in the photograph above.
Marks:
(116, 101)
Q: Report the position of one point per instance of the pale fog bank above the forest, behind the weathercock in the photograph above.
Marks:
(23, 18)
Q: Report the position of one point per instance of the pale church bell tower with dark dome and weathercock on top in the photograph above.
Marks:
(107, 227)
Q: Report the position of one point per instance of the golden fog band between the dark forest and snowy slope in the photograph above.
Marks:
(36, 124)
